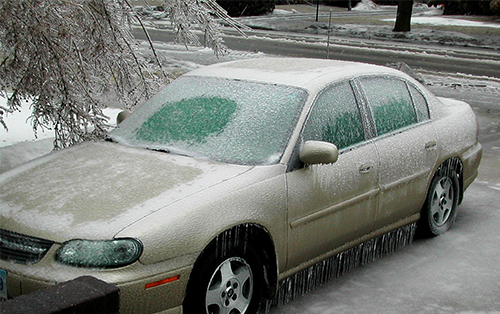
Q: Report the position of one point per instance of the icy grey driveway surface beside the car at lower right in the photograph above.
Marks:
(457, 272)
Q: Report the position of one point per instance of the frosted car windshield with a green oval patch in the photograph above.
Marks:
(224, 120)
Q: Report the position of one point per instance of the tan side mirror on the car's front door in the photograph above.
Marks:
(317, 152)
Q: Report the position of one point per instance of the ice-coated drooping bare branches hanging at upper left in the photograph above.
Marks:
(67, 56)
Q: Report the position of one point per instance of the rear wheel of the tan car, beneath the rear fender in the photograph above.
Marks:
(440, 207)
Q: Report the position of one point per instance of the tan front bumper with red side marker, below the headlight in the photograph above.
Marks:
(134, 281)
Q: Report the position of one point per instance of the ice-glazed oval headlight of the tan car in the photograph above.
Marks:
(99, 254)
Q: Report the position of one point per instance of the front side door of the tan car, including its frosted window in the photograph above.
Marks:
(332, 204)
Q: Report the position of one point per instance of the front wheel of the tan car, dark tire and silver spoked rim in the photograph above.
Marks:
(227, 284)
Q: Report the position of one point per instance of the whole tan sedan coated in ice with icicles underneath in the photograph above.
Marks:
(238, 176)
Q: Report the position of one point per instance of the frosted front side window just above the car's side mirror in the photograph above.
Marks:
(335, 118)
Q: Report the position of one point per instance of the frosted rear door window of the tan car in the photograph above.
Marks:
(389, 102)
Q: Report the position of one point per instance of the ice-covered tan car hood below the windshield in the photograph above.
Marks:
(94, 190)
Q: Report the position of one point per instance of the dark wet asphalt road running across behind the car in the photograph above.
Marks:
(447, 59)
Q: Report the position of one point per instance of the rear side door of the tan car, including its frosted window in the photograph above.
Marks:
(406, 143)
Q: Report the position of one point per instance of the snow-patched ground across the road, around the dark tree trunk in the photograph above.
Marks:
(370, 21)
